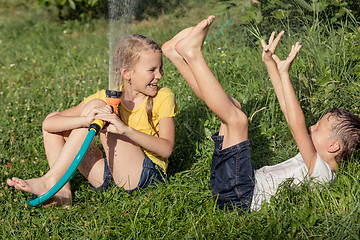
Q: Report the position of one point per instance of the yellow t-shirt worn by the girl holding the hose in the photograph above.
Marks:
(164, 106)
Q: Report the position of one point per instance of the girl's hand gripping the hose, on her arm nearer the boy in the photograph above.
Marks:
(115, 124)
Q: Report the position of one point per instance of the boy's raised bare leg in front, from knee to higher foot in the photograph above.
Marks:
(234, 121)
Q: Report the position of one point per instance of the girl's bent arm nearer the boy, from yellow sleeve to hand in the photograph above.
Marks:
(162, 145)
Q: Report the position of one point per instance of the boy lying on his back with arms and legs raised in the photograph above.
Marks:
(233, 180)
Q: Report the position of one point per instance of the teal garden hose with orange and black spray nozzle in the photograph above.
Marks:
(113, 98)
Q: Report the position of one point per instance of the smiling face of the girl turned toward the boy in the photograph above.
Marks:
(147, 73)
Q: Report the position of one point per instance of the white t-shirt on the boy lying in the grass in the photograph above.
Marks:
(268, 178)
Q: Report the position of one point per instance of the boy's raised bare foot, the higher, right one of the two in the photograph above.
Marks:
(191, 45)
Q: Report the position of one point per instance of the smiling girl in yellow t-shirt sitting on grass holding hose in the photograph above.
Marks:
(138, 140)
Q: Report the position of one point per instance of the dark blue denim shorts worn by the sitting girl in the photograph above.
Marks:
(150, 175)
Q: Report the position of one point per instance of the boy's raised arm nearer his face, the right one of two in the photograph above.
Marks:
(295, 115)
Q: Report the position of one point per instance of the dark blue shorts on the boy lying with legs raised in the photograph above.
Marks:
(232, 179)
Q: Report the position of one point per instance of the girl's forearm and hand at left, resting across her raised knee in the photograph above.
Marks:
(68, 119)
